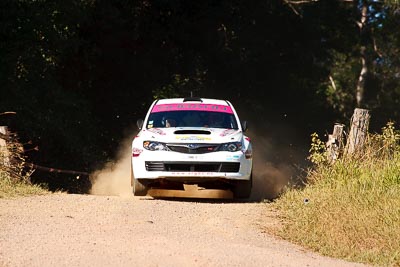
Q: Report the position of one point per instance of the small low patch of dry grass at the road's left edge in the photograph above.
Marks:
(14, 188)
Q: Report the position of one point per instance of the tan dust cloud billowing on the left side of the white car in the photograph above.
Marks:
(114, 178)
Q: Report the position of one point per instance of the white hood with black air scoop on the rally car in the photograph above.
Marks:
(192, 135)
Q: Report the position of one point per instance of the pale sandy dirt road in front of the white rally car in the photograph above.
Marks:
(87, 230)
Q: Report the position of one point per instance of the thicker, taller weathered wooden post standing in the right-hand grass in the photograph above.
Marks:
(358, 131)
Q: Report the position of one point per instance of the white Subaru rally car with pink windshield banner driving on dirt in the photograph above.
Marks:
(192, 141)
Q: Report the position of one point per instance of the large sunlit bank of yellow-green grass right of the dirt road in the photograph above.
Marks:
(350, 209)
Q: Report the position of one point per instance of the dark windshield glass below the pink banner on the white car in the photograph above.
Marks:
(192, 118)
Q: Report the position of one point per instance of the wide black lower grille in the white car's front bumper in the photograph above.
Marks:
(192, 166)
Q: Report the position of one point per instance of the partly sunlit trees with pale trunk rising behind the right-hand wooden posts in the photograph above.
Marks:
(363, 69)
